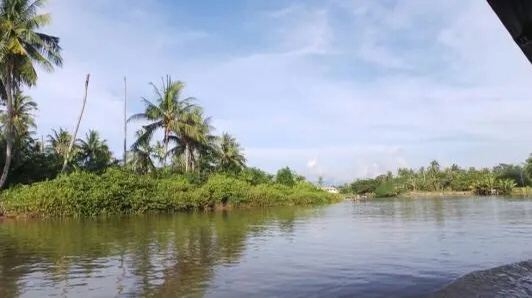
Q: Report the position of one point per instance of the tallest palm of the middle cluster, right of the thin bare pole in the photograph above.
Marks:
(167, 110)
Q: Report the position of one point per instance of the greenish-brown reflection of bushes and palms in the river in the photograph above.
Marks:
(162, 255)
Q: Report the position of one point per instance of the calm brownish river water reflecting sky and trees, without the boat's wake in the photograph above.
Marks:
(380, 248)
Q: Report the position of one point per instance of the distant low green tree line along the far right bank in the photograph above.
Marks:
(500, 179)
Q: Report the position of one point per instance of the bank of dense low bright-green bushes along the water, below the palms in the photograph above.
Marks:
(121, 192)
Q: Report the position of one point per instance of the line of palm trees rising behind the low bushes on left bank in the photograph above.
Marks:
(175, 135)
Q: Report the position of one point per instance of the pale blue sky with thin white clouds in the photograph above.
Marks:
(334, 88)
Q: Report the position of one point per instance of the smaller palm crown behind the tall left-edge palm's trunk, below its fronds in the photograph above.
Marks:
(22, 120)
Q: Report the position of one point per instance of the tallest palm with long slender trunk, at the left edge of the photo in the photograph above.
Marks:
(21, 47)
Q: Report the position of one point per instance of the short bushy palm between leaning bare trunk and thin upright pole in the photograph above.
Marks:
(94, 154)
